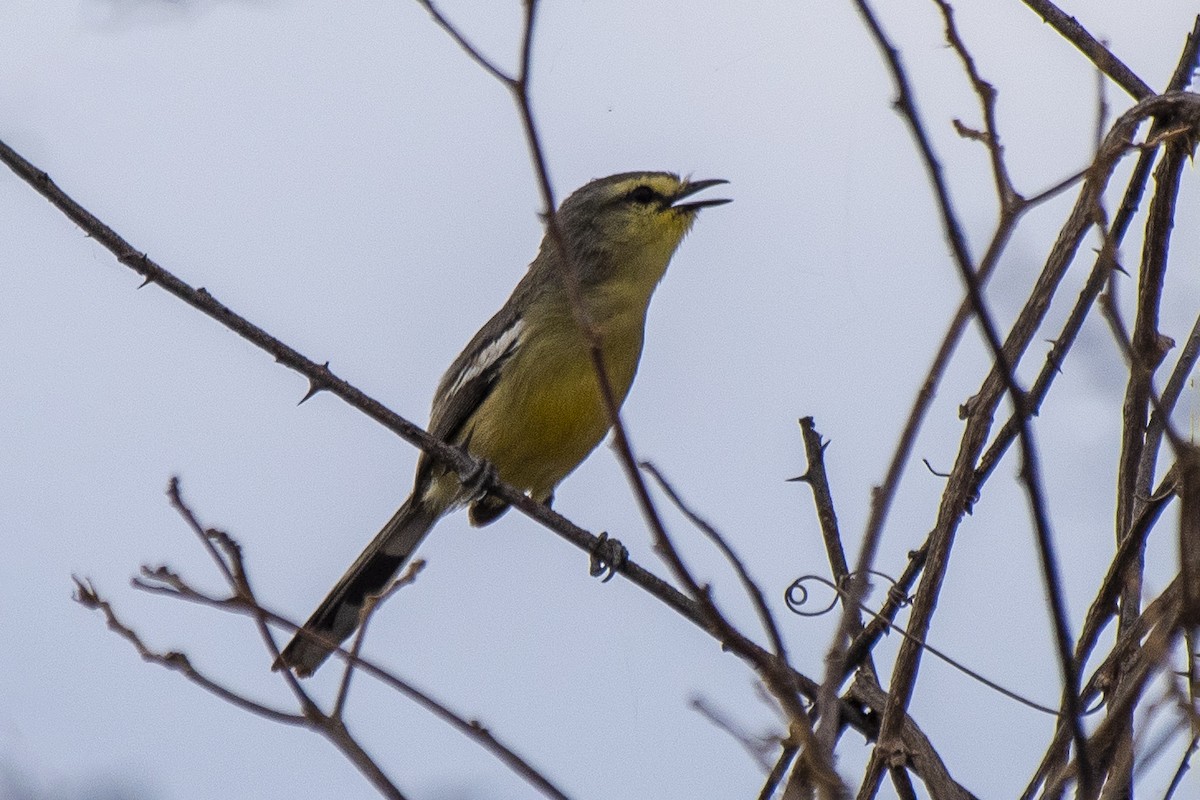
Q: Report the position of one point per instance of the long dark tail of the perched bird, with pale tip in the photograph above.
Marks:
(339, 615)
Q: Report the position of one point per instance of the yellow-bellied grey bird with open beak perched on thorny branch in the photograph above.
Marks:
(524, 396)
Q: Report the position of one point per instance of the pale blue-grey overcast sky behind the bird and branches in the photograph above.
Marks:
(345, 177)
